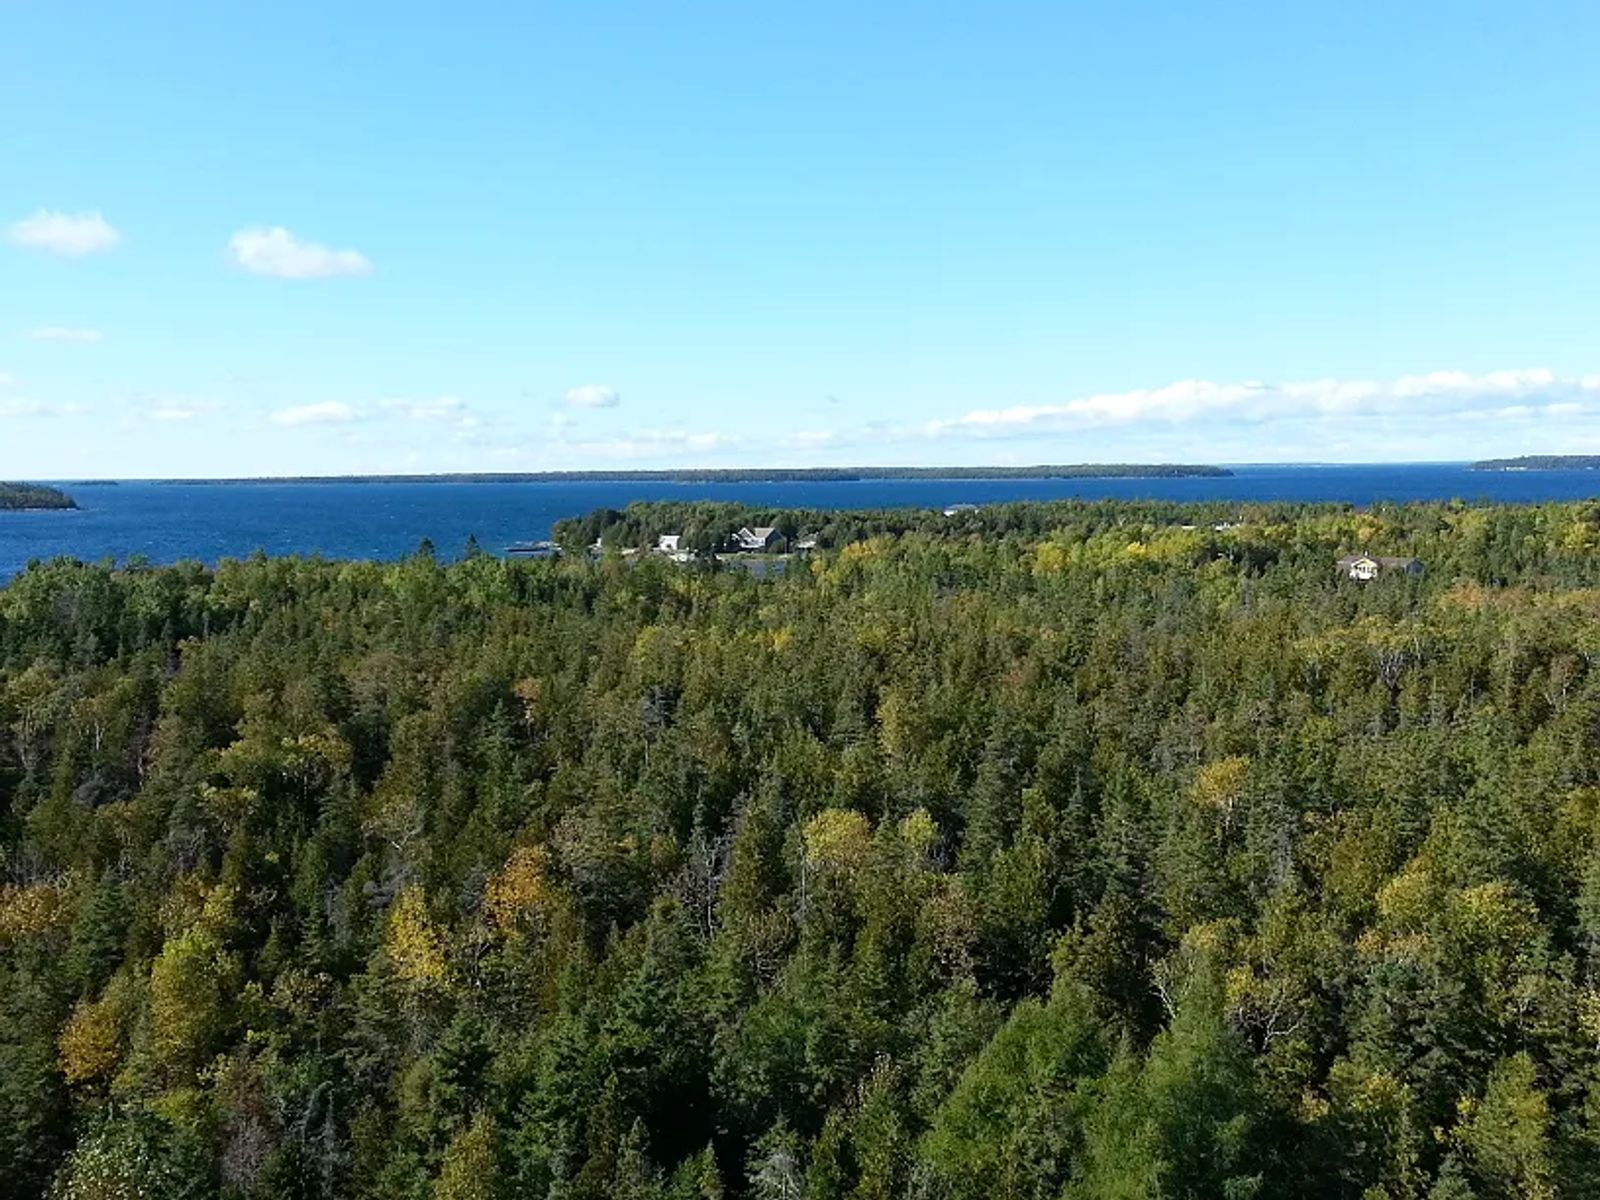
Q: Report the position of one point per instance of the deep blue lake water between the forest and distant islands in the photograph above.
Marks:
(167, 522)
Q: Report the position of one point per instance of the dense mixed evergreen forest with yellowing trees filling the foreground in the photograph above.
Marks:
(1046, 852)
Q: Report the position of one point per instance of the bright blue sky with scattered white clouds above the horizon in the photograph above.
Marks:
(305, 239)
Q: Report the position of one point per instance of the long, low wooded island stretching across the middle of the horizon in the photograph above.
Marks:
(764, 474)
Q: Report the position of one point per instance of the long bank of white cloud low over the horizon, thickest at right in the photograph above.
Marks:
(1441, 415)
